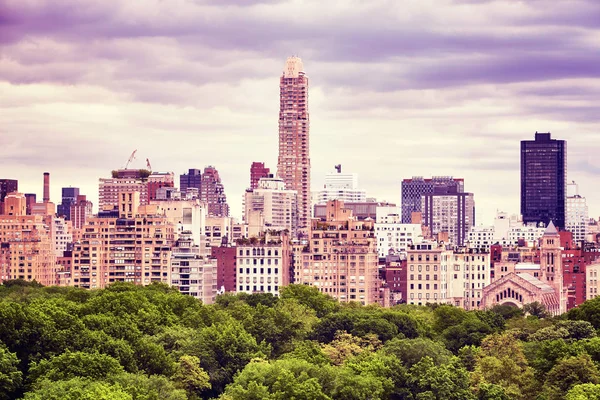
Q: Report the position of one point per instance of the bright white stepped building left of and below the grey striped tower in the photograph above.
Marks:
(392, 235)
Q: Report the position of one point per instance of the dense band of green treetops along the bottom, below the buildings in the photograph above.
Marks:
(151, 343)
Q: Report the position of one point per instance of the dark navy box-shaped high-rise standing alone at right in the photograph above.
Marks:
(543, 180)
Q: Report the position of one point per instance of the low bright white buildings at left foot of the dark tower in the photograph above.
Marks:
(506, 231)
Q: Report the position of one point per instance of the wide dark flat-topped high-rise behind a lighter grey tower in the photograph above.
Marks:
(414, 189)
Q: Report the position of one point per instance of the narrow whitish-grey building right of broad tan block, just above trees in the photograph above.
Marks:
(193, 272)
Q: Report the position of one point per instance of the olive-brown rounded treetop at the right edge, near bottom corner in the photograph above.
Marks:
(569, 372)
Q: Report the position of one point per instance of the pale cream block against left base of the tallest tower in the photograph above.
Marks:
(270, 206)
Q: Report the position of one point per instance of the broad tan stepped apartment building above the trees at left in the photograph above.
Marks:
(134, 246)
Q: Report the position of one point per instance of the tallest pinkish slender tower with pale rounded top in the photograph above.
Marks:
(293, 165)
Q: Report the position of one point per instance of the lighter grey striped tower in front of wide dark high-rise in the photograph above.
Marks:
(447, 210)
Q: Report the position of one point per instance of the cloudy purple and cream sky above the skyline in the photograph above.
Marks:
(397, 89)
